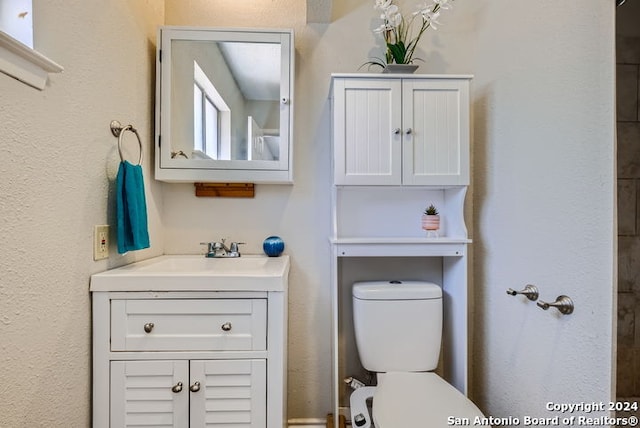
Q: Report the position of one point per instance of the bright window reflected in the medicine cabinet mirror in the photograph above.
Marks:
(211, 117)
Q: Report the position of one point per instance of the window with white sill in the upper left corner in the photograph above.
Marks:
(18, 59)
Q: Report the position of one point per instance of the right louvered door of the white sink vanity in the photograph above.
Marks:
(228, 393)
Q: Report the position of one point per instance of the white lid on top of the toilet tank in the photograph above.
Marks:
(396, 290)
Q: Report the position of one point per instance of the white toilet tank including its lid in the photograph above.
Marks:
(398, 325)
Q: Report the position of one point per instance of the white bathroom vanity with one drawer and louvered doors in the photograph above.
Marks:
(183, 357)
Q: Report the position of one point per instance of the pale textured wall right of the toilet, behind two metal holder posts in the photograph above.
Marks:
(544, 199)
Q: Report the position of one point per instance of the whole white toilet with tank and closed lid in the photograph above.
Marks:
(398, 329)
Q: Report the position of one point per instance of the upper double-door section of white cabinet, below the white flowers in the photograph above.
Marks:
(400, 130)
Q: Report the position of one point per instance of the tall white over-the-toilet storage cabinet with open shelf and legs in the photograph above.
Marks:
(400, 143)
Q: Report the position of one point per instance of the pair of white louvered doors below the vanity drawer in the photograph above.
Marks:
(183, 394)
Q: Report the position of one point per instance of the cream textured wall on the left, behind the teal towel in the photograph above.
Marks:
(56, 181)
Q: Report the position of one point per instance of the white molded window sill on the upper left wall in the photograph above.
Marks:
(25, 64)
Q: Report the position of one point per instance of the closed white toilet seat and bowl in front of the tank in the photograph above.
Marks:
(419, 400)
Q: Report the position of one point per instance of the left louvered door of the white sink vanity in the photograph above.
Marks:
(149, 393)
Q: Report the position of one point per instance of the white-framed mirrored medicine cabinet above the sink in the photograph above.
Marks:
(223, 105)
